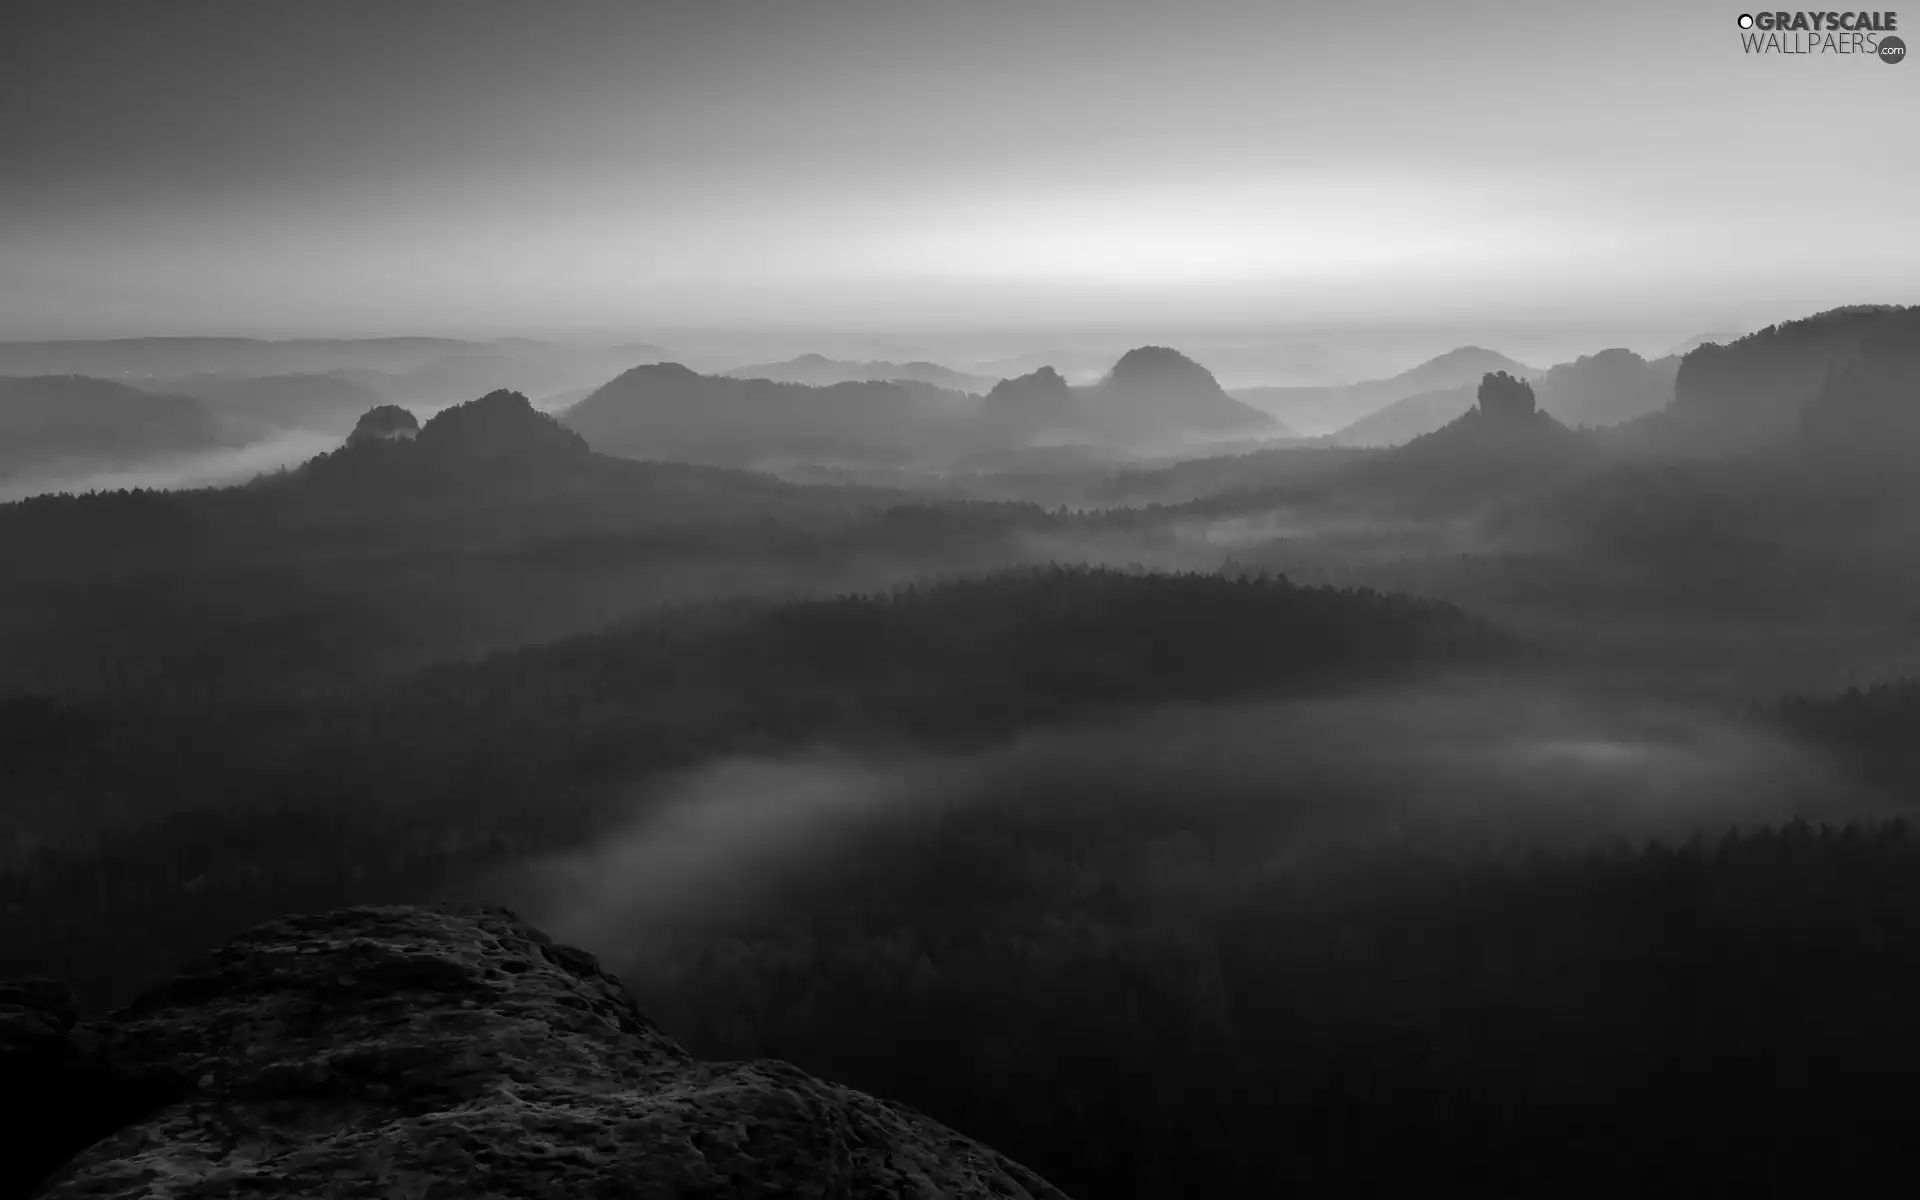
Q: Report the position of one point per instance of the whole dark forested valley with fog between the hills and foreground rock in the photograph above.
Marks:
(1522, 809)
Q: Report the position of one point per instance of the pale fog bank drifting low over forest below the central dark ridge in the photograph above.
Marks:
(1239, 792)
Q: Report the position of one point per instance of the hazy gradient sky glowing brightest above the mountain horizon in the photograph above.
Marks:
(485, 166)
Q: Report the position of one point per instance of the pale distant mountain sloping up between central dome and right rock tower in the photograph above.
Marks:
(1318, 412)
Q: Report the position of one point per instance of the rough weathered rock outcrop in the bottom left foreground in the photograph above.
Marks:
(439, 1053)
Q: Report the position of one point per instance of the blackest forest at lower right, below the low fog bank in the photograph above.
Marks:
(1729, 1017)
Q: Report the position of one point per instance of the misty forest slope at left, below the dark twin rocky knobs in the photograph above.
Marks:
(283, 588)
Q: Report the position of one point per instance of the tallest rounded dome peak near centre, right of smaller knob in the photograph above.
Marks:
(1155, 393)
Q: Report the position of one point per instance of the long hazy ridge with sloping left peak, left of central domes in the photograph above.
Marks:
(665, 410)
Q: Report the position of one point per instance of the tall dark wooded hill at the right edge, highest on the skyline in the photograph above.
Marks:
(1756, 391)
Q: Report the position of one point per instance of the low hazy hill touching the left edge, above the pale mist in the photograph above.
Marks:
(62, 421)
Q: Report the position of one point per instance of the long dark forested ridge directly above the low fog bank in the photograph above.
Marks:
(132, 813)
